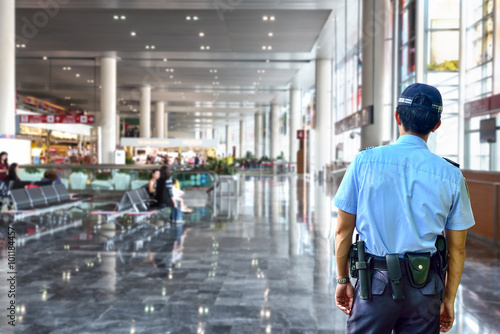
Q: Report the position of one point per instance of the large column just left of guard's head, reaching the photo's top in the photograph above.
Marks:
(376, 74)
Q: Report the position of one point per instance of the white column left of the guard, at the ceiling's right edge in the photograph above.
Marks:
(323, 130)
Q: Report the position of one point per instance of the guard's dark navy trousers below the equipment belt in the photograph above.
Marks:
(417, 313)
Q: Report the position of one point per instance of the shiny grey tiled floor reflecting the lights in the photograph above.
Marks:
(259, 263)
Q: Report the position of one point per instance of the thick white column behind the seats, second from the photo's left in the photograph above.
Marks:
(108, 109)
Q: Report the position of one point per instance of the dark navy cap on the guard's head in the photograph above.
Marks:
(415, 94)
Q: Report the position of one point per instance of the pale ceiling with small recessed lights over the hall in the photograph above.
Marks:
(247, 80)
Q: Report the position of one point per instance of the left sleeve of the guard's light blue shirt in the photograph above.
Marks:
(346, 198)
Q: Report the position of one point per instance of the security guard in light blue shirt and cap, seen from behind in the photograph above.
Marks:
(401, 198)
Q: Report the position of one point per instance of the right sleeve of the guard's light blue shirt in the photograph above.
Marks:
(461, 217)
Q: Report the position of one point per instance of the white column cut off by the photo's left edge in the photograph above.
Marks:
(7, 68)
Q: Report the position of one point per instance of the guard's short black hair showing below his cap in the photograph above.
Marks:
(418, 120)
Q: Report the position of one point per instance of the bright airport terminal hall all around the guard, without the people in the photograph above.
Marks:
(257, 107)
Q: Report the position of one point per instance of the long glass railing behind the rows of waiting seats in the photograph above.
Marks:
(111, 178)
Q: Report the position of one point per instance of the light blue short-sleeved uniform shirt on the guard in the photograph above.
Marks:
(403, 196)
